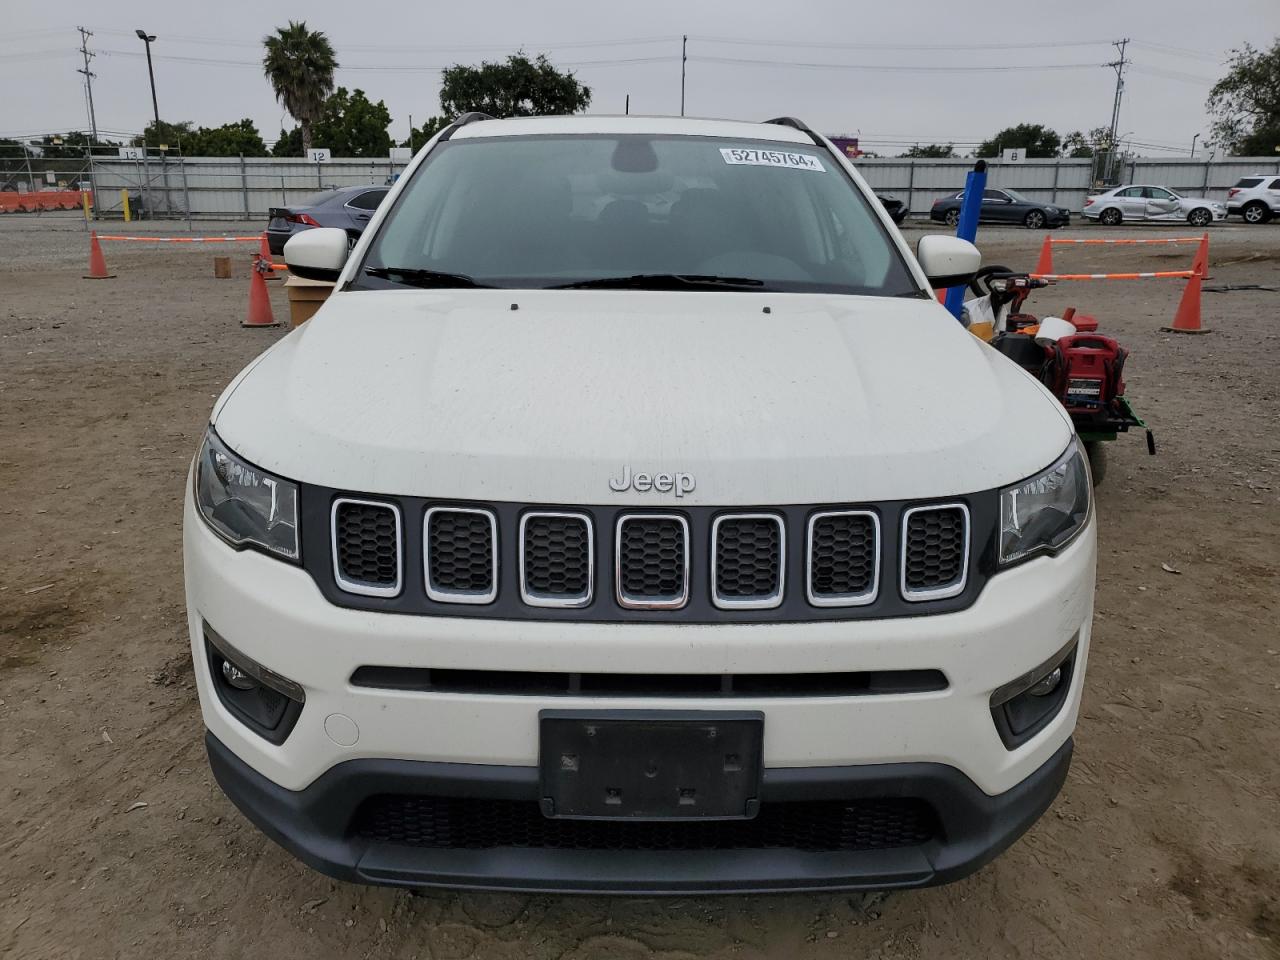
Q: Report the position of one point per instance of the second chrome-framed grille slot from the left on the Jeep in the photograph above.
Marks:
(460, 559)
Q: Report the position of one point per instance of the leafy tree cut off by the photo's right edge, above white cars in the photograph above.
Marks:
(1246, 103)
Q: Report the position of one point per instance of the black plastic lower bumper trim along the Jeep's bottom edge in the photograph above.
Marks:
(316, 825)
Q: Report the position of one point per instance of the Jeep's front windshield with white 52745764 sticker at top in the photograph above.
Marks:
(565, 211)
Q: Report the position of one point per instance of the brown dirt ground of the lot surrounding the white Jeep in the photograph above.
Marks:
(116, 842)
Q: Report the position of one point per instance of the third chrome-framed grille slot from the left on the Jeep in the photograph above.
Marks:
(557, 560)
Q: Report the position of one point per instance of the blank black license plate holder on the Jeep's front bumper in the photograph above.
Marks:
(651, 765)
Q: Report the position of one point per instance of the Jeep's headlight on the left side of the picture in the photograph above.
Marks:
(244, 505)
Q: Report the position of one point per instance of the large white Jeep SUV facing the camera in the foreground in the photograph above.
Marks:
(633, 519)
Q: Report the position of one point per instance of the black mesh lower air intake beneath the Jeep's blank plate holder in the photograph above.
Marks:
(484, 825)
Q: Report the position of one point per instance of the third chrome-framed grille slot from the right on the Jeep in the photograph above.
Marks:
(748, 554)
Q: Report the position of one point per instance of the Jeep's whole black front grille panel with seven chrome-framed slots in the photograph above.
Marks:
(694, 565)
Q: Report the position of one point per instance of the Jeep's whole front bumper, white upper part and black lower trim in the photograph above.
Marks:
(353, 742)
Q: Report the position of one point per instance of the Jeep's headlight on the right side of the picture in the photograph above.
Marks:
(1044, 514)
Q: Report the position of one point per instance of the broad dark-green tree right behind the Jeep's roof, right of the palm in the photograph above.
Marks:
(519, 88)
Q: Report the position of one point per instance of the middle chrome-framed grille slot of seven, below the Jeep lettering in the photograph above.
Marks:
(652, 561)
